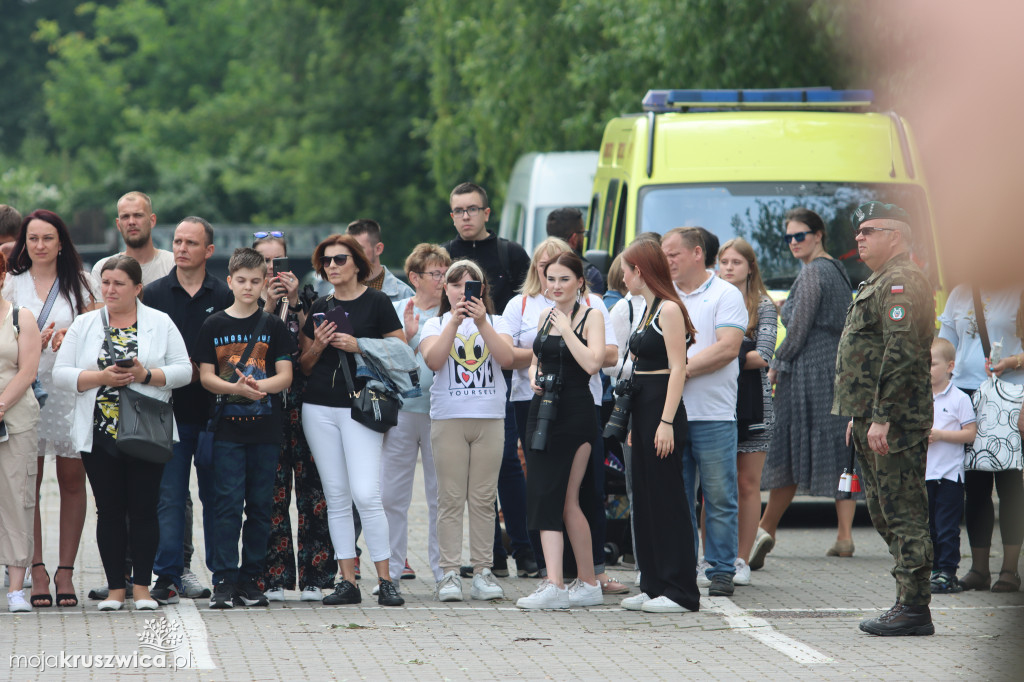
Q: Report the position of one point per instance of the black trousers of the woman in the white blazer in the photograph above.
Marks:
(127, 492)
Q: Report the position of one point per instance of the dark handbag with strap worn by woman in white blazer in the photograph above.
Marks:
(146, 425)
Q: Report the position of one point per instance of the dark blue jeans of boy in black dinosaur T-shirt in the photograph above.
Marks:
(243, 478)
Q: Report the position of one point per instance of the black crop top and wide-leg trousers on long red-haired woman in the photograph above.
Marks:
(663, 533)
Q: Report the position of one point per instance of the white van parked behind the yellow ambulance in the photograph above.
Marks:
(541, 184)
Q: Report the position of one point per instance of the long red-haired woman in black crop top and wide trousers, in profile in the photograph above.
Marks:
(662, 519)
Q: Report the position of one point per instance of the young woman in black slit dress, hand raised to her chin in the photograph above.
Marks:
(568, 352)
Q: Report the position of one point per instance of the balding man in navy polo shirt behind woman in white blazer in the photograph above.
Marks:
(189, 294)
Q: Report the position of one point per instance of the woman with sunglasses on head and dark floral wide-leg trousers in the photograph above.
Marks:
(296, 470)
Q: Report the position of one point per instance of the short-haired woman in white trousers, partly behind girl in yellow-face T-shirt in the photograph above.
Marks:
(425, 269)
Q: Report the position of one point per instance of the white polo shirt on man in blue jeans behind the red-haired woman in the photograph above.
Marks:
(713, 306)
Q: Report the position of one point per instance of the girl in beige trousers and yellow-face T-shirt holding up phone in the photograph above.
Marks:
(466, 348)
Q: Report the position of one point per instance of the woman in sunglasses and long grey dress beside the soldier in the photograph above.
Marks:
(808, 452)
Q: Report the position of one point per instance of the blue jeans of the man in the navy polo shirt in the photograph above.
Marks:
(172, 508)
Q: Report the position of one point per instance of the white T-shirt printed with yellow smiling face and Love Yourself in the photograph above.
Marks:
(471, 385)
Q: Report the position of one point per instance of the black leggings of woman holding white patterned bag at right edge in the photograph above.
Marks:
(980, 515)
